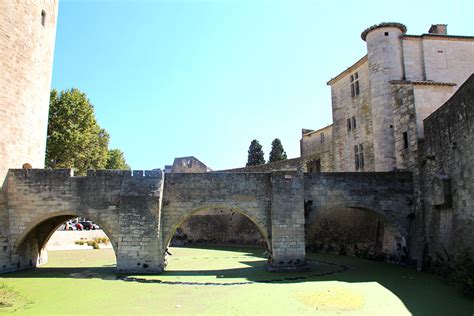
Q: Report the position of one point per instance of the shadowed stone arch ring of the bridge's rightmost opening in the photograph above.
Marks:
(394, 228)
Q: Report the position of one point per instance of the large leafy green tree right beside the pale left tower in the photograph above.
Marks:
(75, 139)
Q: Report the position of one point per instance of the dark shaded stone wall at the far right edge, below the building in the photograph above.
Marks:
(448, 176)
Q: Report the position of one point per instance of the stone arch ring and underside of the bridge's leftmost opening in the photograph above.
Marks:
(40, 229)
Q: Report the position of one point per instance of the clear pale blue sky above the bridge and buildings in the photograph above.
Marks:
(203, 78)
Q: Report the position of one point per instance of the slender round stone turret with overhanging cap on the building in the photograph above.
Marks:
(385, 58)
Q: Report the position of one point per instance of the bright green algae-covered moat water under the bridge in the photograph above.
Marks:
(223, 281)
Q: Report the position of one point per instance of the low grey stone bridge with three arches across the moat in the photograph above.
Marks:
(140, 211)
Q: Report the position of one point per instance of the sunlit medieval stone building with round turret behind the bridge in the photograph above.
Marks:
(379, 103)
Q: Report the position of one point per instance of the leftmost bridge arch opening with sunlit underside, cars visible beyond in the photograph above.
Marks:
(31, 246)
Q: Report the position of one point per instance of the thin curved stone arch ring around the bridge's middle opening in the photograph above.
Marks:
(170, 231)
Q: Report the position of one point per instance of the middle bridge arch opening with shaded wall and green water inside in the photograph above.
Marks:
(211, 227)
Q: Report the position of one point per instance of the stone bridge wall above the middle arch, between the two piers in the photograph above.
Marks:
(189, 194)
